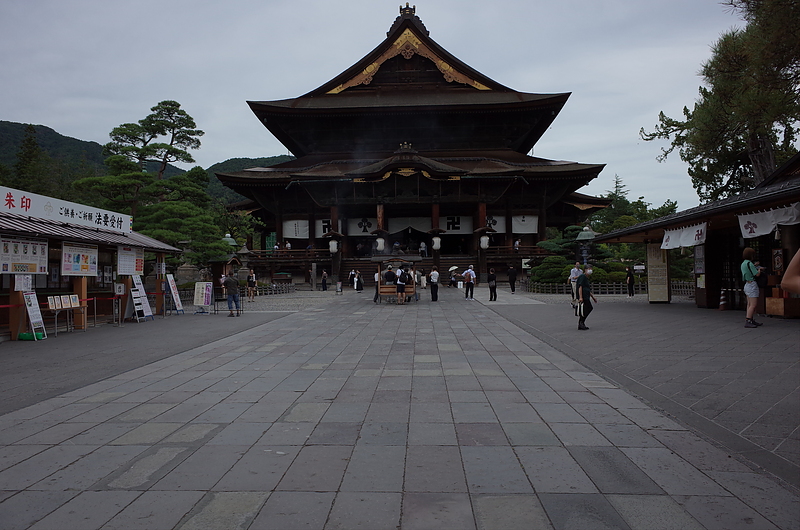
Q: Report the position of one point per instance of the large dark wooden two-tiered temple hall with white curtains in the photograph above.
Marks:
(410, 147)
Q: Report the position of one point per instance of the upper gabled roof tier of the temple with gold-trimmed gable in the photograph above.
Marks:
(409, 89)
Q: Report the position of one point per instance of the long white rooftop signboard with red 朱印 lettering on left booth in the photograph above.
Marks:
(43, 207)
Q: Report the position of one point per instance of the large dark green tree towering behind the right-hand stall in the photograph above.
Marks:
(745, 120)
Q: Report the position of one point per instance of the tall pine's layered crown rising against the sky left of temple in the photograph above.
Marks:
(163, 136)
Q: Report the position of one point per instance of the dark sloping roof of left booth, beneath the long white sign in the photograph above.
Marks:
(21, 225)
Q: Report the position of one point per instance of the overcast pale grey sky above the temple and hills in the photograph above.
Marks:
(83, 67)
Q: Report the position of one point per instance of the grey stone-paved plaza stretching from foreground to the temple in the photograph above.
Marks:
(452, 415)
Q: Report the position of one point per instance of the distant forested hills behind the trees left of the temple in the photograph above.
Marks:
(74, 152)
